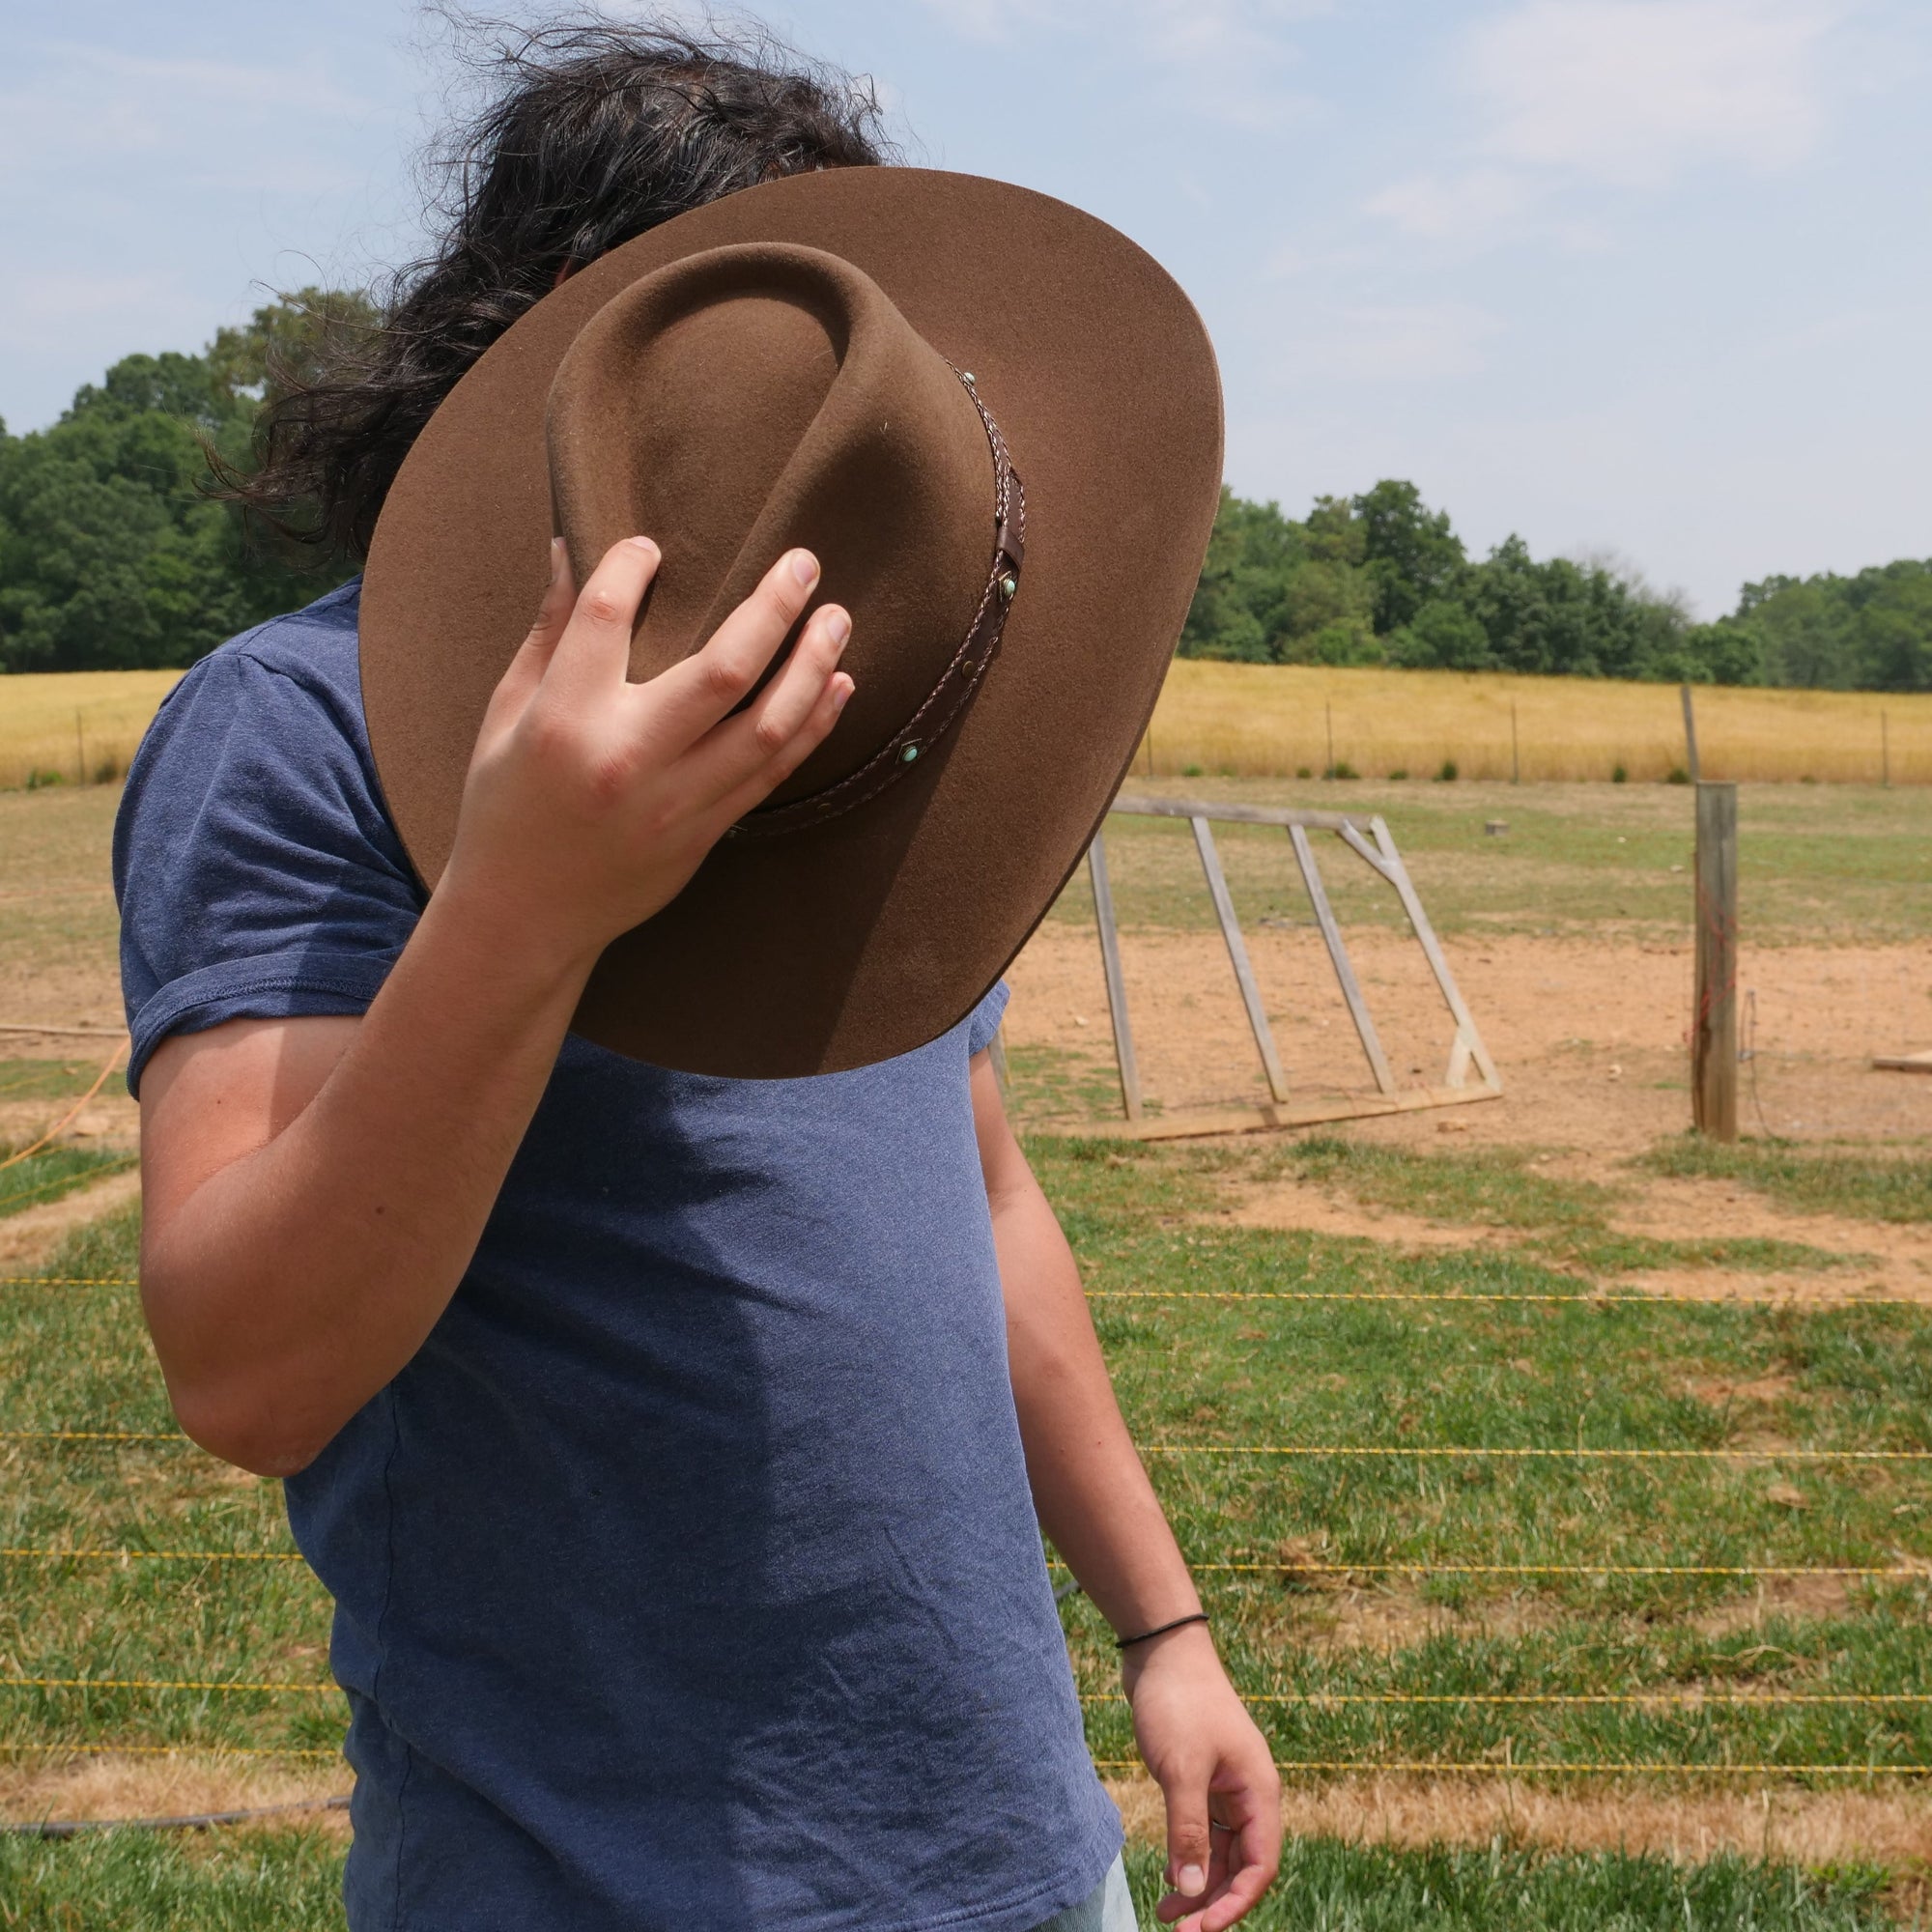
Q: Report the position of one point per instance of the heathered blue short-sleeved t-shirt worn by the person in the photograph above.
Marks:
(689, 1577)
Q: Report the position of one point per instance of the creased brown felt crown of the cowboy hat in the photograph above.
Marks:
(764, 397)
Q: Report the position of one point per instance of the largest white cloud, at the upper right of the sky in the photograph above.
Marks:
(1616, 94)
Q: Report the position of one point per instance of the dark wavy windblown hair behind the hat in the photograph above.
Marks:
(590, 134)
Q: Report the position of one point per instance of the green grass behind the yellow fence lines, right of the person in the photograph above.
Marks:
(1255, 1373)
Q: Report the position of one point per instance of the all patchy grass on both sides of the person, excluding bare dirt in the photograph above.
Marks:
(1751, 1589)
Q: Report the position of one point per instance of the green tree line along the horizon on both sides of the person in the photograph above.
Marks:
(117, 552)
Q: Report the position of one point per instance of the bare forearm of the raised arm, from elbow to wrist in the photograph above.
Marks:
(297, 1280)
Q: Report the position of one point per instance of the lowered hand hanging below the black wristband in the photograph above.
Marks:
(1216, 1775)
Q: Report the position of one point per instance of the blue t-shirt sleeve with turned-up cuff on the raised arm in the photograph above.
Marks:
(256, 868)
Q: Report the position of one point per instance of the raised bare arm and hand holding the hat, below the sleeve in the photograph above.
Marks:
(316, 1189)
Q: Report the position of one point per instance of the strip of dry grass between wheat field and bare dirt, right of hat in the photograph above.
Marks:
(1577, 861)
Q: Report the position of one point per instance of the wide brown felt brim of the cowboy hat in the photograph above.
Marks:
(876, 932)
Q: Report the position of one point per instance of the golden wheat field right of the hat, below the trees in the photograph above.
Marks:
(1280, 720)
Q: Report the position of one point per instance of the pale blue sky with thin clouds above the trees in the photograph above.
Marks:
(1635, 277)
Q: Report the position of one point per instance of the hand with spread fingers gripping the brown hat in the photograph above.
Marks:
(592, 801)
